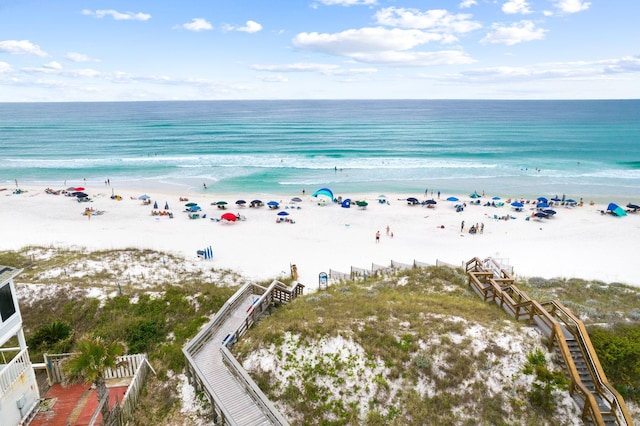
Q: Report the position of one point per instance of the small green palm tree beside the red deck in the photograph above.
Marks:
(88, 364)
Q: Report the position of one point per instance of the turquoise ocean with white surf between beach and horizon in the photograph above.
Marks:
(508, 148)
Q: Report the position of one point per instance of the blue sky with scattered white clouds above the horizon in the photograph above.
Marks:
(318, 49)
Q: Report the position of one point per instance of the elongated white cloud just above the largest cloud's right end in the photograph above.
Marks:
(435, 19)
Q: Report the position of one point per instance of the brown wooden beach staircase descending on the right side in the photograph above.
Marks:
(600, 403)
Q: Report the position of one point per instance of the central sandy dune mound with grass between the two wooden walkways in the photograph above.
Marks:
(417, 348)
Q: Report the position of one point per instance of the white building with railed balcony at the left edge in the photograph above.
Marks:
(19, 393)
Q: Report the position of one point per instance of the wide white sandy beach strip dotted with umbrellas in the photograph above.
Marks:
(577, 242)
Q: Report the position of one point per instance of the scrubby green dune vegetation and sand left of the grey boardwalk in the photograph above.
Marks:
(156, 316)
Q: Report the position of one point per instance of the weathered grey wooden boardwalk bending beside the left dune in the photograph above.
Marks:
(212, 369)
